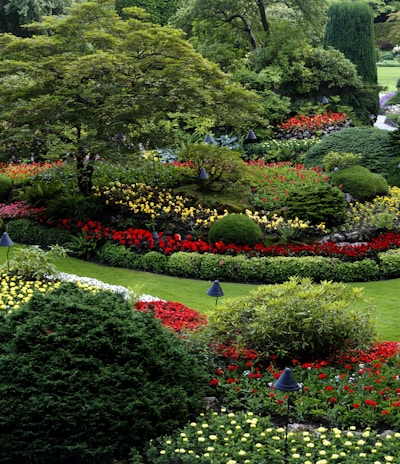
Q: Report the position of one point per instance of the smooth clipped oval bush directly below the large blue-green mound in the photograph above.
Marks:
(360, 183)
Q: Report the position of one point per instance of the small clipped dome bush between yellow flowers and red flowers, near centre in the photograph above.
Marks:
(235, 228)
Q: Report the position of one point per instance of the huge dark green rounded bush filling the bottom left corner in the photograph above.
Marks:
(85, 378)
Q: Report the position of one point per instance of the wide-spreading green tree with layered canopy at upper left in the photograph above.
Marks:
(89, 81)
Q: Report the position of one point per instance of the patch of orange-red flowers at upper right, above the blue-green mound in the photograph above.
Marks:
(312, 125)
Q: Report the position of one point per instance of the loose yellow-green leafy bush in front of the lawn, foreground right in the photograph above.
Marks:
(297, 319)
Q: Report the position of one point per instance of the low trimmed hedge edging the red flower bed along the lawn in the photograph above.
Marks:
(208, 266)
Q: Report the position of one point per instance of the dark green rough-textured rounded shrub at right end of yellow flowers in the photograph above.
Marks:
(317, 203)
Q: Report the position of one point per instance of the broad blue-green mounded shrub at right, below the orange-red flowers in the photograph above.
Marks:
(372, 143)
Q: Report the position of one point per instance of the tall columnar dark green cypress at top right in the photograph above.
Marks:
(350, 29)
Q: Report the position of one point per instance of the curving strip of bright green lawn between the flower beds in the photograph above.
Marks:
(384, 295)
